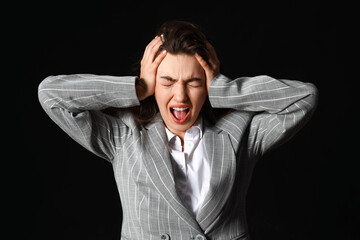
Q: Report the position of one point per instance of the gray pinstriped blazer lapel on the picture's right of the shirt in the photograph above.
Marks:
(223, 167)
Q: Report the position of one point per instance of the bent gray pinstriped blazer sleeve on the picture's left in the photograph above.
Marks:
(74, 102)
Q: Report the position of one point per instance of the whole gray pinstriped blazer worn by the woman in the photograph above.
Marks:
(267, 113)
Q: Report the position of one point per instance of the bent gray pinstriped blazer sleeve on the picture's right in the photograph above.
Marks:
(280, 107)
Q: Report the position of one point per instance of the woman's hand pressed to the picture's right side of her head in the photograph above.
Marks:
(212, 68)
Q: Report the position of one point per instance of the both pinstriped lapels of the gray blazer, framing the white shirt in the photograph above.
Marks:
(222, 161)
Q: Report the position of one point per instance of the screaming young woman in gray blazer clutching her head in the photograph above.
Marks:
(183, 139)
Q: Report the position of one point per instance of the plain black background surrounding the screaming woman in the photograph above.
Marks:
(306, 189)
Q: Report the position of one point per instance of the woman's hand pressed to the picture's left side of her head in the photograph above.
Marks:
(145, 86)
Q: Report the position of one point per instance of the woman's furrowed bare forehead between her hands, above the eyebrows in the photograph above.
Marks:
(180, 66)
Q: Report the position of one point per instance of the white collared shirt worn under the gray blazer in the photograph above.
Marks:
(191, 166)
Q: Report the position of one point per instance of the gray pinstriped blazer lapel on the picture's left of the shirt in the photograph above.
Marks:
(159, 169)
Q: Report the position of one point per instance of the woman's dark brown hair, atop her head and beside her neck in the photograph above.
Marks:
(179, 37)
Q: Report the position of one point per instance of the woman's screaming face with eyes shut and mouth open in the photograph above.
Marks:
(180, 91)
